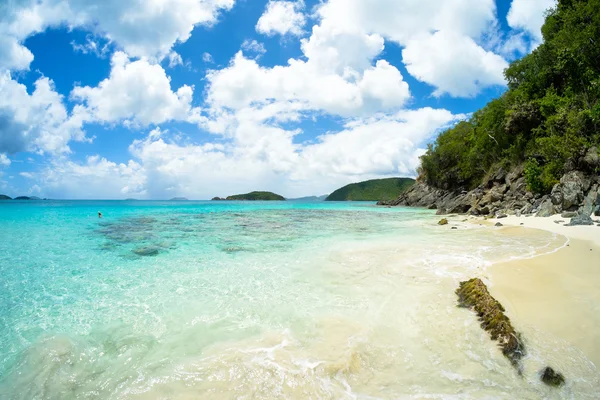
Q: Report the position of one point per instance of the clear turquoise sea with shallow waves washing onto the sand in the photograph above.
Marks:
(226, 300)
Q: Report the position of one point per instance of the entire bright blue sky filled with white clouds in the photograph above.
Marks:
(154, 99)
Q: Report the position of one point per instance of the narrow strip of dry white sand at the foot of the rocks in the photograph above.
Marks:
(589, 233)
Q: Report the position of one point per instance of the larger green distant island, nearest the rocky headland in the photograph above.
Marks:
(373, 190)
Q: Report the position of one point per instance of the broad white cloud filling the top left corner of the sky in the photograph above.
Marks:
(142, 28)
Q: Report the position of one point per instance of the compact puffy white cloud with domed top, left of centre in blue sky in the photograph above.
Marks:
(136, 92)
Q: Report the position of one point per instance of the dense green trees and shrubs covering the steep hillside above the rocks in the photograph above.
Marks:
(549, 118)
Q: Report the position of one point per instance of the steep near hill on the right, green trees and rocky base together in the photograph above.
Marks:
(535, 148)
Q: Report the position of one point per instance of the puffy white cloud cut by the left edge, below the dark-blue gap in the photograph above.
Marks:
(38, 122)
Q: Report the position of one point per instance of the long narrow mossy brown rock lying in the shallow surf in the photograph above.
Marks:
(473, 294)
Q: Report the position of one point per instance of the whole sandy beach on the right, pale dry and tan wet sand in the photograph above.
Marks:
(557, 294)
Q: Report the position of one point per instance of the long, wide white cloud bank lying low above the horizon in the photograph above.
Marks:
(257, 155)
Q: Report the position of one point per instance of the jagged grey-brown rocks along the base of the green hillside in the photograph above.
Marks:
(577, 194)
